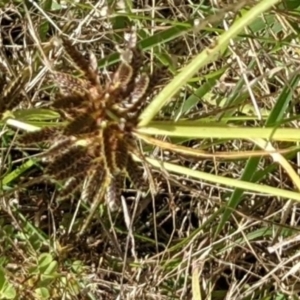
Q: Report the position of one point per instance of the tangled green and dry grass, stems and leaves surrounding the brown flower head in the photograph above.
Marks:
(218, 142)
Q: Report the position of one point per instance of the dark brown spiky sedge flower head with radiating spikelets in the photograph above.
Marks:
(94, 150)
